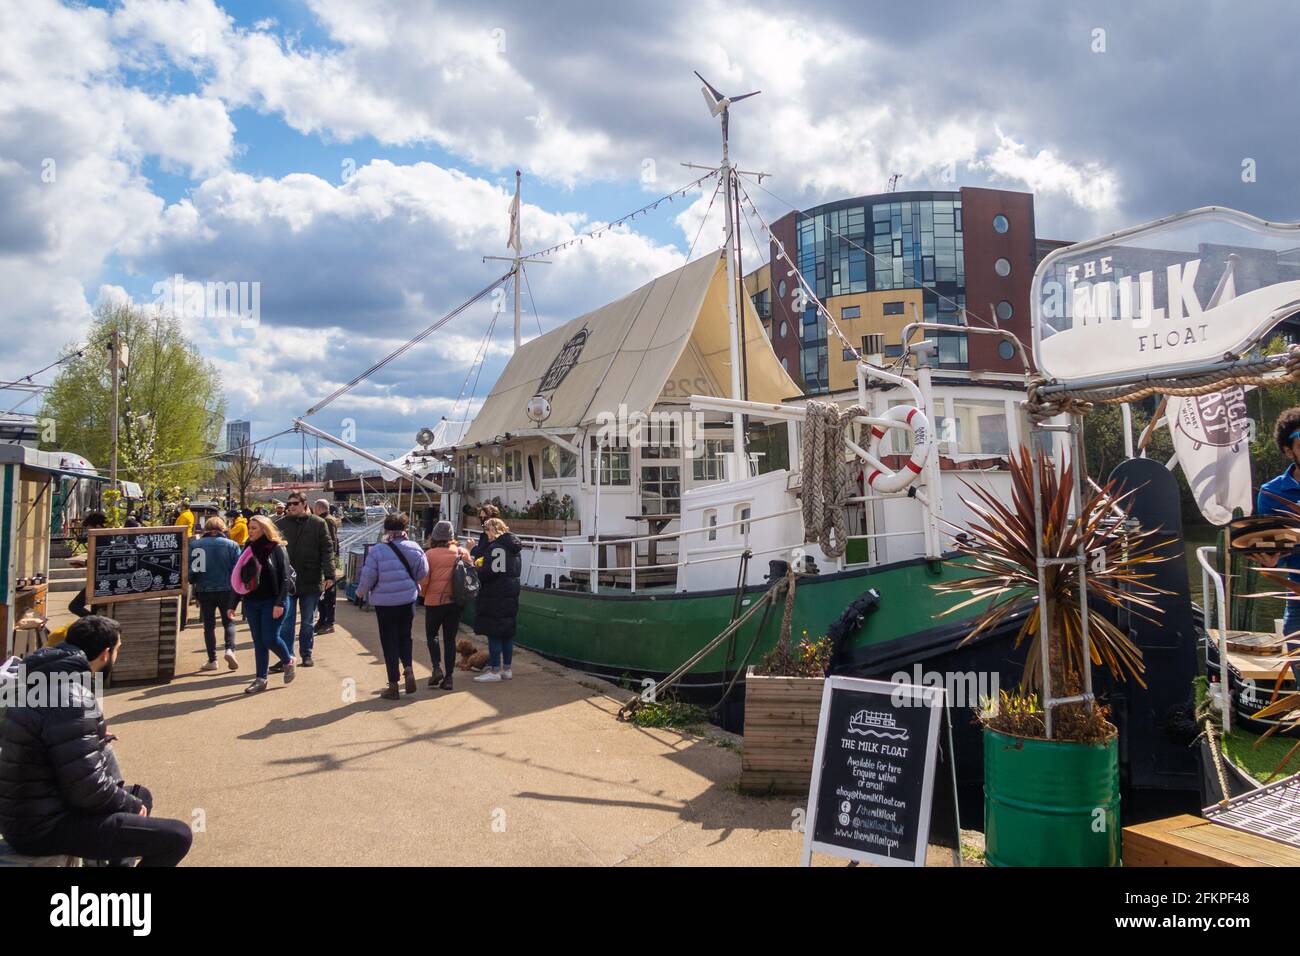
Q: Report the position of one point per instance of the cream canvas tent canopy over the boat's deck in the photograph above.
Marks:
(669, 339)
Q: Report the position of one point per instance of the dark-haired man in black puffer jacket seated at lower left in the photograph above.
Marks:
(57, 791)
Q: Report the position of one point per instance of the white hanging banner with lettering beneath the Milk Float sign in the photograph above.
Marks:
(1212, 440)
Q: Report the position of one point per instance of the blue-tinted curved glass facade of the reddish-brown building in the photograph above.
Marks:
(879, 245)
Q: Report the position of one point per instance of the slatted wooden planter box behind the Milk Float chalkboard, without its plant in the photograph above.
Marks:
(781, 734)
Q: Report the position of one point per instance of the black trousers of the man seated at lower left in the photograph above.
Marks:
(116, 837)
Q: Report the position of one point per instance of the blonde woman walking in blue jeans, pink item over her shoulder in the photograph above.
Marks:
(265, 573)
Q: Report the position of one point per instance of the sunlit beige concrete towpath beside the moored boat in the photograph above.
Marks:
(532, 772)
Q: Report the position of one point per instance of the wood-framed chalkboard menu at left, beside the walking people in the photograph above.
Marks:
(131, 564)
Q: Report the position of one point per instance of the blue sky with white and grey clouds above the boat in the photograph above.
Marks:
(354, 162)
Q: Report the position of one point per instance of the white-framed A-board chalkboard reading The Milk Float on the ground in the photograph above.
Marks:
(874, 772)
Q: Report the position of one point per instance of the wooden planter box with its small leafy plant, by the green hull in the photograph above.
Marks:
(783, 706)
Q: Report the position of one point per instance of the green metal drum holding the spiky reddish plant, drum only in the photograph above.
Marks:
(1051, 803)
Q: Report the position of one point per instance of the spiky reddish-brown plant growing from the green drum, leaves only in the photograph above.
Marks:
(999, 544)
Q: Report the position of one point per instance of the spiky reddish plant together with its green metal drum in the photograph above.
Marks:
(1055, 802)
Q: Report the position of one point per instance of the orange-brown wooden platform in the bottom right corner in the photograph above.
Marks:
(1189, 841)
